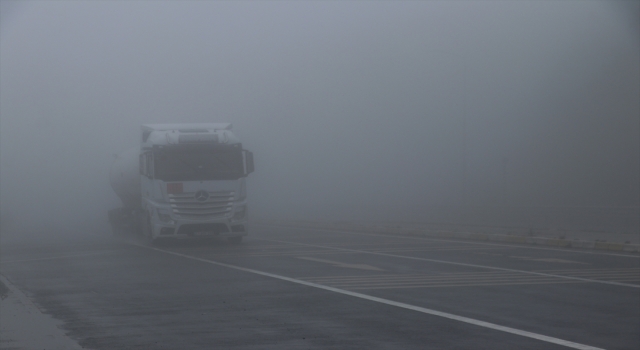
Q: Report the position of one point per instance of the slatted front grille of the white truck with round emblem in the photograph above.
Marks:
(187, 206)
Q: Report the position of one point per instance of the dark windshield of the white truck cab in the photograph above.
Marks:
(198, 164)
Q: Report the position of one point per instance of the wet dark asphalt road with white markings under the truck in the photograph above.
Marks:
(285, 288)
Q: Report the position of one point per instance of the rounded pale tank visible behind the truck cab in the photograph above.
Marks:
(125, 177)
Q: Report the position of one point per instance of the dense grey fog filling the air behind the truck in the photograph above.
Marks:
(378, 111)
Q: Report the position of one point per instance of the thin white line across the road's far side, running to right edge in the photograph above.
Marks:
(461, 264)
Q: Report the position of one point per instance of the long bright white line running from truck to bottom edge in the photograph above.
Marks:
(393, 303)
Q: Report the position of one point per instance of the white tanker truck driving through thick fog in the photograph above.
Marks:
(183, 181)
